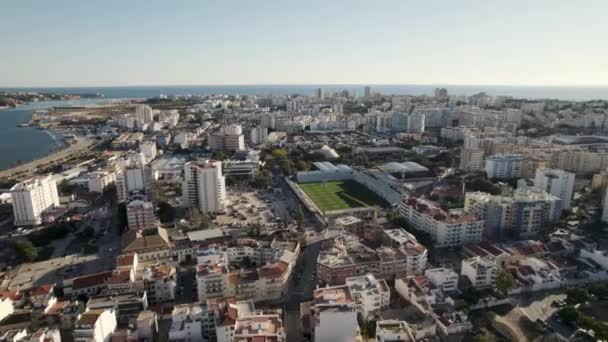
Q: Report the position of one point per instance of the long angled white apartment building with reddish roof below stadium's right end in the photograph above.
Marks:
(447, 229)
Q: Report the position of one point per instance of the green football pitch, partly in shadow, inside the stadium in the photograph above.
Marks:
(339, 195)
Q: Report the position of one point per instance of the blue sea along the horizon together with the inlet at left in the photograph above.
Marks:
(19, 144)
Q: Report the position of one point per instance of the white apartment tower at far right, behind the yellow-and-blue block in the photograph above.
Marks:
(558, 183)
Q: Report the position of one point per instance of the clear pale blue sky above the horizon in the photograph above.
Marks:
(99, 43)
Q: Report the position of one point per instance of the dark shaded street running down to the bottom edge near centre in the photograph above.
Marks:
(300, 290)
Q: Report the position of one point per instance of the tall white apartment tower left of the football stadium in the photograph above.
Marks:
(204, 186)
